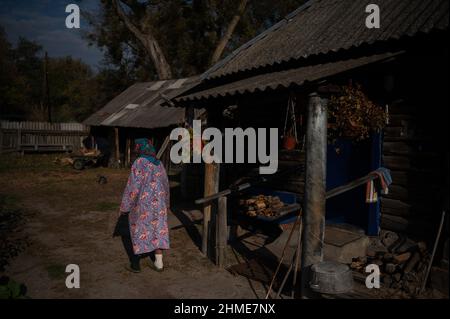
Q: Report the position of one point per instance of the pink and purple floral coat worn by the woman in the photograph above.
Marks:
(147, 199)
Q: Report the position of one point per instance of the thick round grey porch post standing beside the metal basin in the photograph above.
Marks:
(315, 189)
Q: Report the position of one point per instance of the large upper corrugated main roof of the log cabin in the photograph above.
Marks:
(323, 26)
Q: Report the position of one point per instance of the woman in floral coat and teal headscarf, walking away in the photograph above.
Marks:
(146, 202)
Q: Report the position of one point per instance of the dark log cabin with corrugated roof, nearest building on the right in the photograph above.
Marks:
(402, 67)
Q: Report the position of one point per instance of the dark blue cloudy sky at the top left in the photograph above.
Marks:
(43, 21)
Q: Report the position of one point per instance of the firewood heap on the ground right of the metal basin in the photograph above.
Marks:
(402, 270)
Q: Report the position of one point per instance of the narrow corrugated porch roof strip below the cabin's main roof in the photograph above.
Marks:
(286, 78)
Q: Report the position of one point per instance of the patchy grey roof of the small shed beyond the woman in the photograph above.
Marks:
(141, 105)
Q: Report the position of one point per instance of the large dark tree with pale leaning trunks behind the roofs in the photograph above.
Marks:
(174, 38)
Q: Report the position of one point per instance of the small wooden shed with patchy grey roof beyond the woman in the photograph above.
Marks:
(139, 112)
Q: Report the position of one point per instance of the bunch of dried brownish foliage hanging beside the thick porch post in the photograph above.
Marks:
(352, 115)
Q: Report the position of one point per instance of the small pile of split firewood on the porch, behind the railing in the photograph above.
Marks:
(261, 205)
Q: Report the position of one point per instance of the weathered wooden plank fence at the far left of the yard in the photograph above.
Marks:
(41, 136)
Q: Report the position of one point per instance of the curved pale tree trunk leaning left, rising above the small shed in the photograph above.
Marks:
(150, 44)
